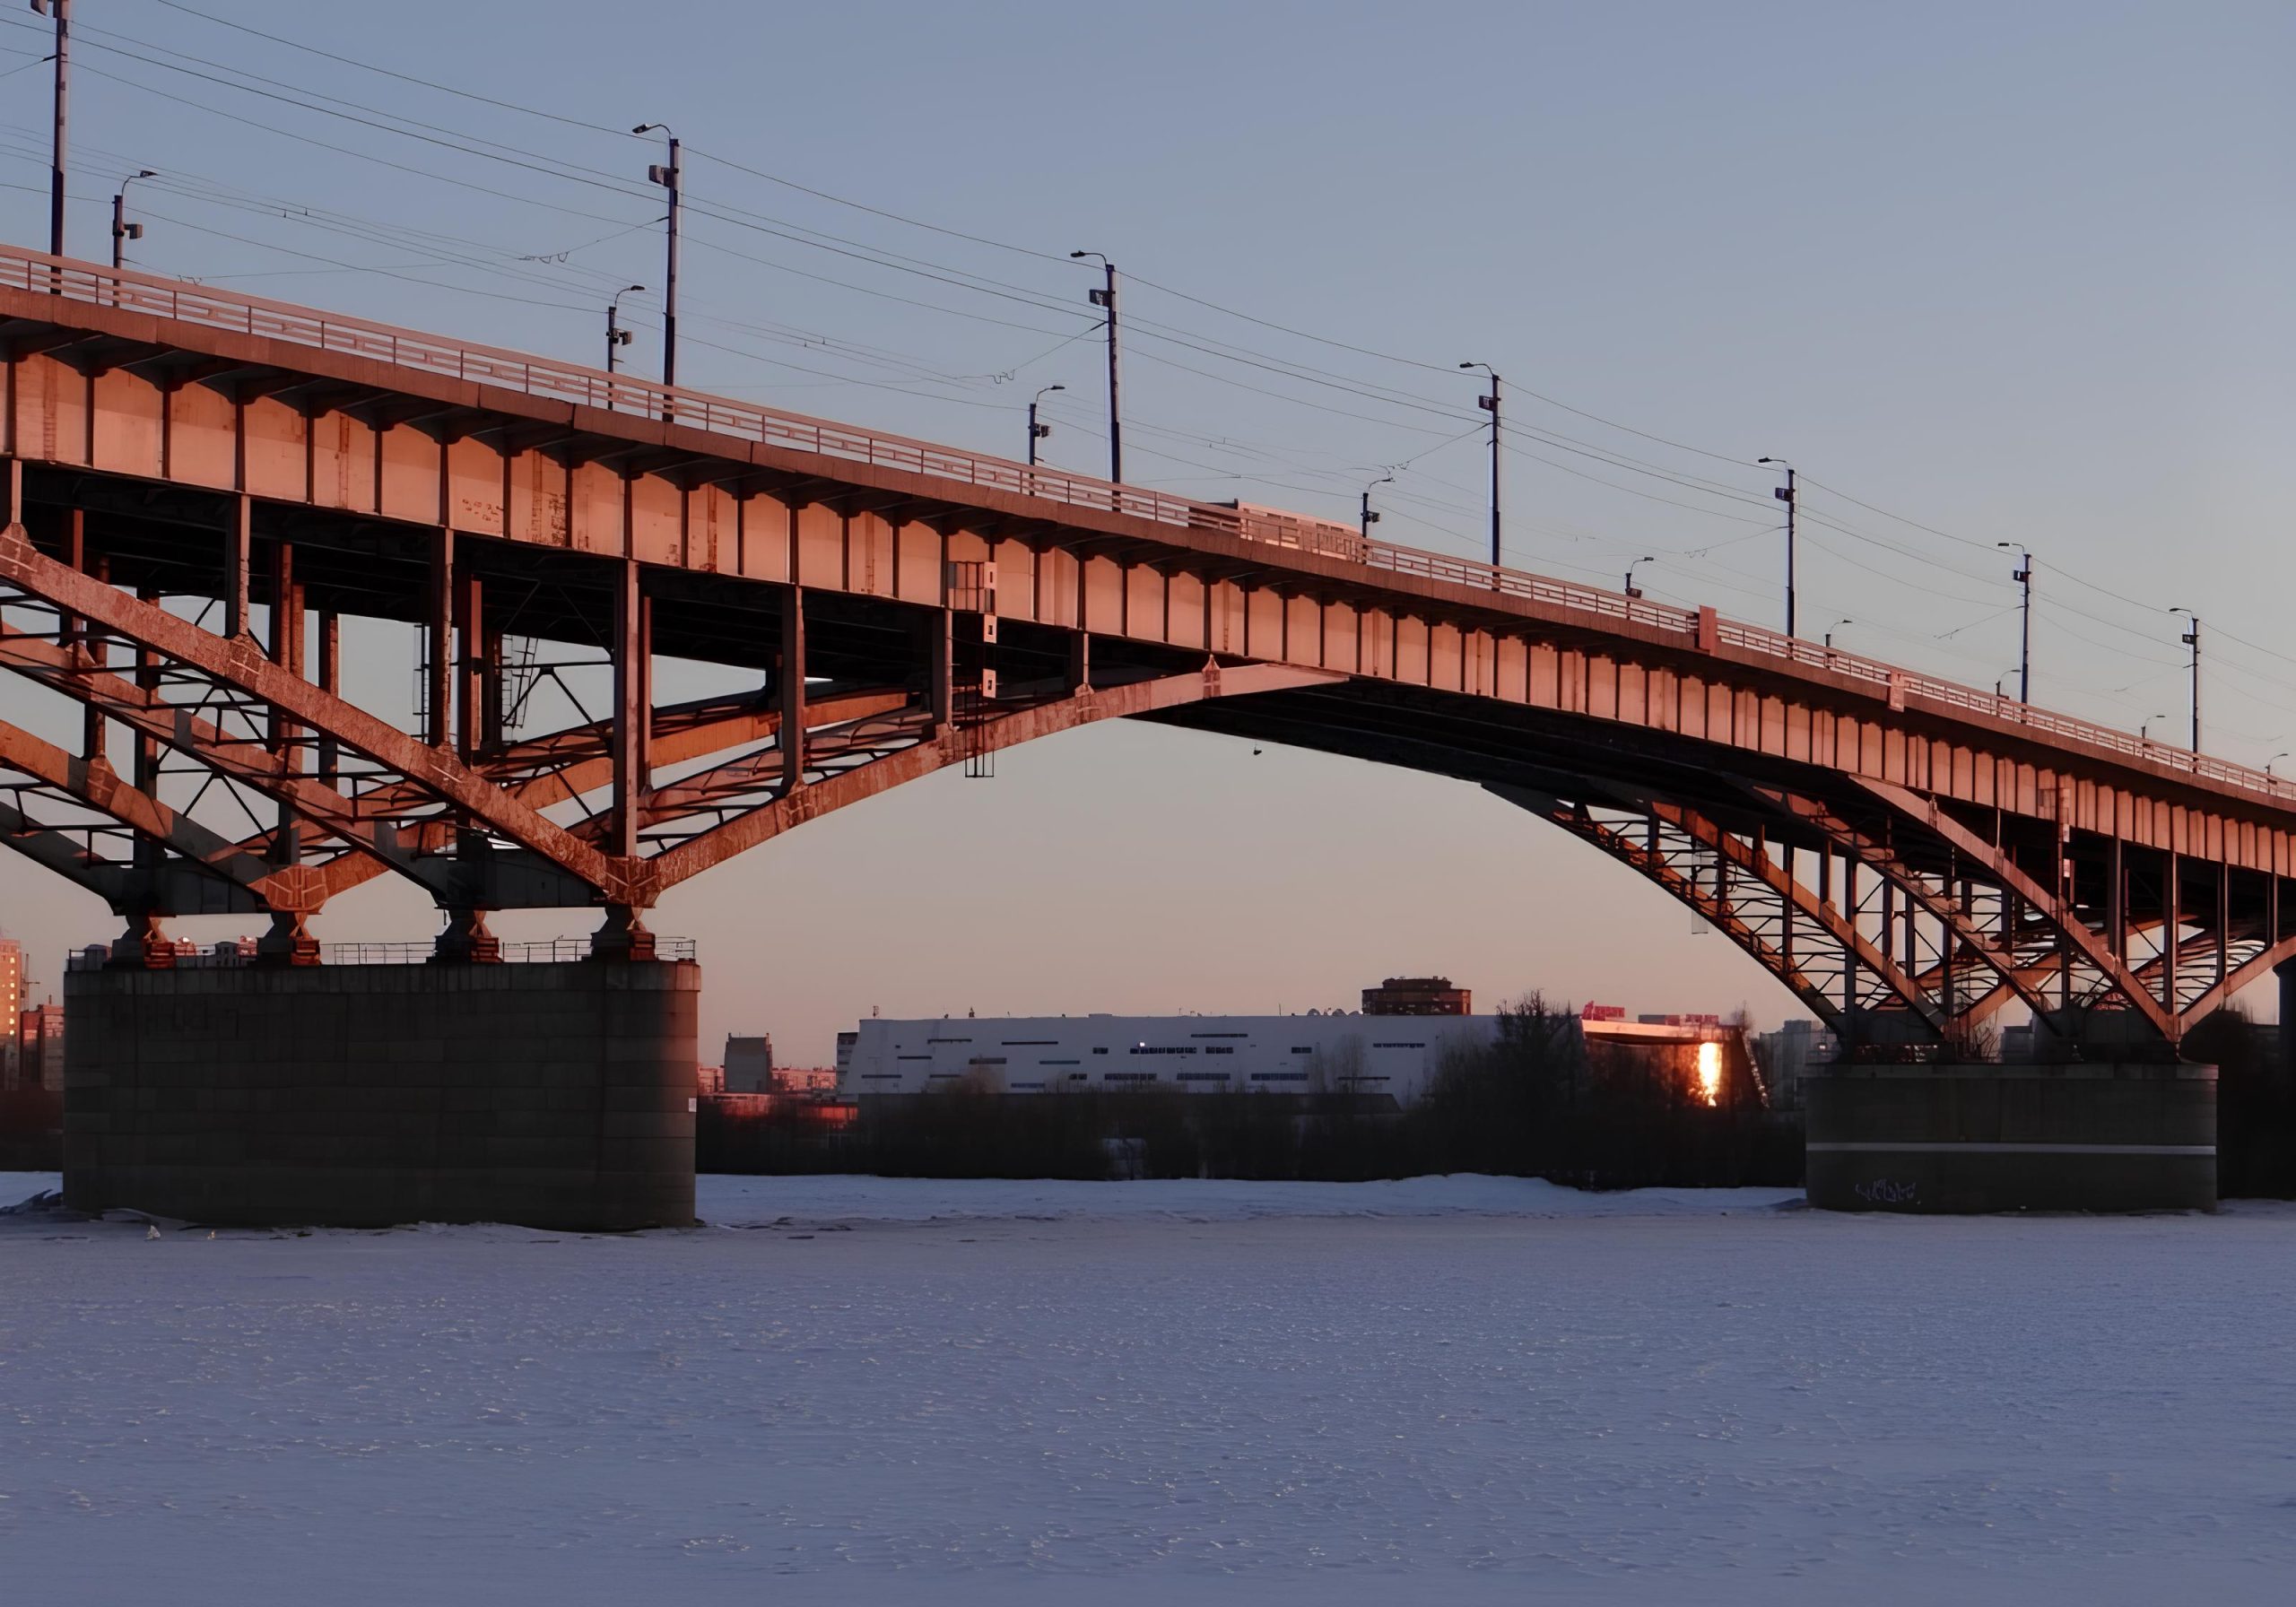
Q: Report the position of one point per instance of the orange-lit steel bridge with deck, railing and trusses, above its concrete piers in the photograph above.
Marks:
(205, 488)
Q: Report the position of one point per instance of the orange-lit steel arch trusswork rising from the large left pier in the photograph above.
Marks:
(217, 777)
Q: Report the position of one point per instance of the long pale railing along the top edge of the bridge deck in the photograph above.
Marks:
(766, 426)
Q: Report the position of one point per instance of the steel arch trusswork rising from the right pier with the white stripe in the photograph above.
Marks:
(1918, 931)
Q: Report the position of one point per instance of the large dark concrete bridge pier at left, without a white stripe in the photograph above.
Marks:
(552, 1094)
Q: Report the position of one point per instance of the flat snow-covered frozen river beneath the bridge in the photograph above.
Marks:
(862, 1392)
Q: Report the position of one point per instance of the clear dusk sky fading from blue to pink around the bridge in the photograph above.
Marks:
(1983, 274)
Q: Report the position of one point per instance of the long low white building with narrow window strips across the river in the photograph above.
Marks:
(1337, 1053)
